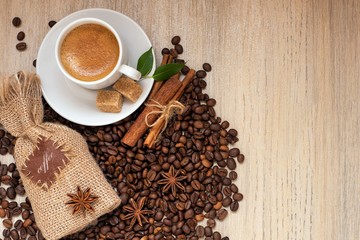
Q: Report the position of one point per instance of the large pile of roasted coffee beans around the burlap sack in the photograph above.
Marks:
(197, 143)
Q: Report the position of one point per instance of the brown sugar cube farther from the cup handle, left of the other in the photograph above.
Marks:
(109, 101)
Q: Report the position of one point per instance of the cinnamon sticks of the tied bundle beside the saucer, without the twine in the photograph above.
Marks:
(162, 93)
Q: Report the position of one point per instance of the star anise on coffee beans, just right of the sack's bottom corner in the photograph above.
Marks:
(136, 212)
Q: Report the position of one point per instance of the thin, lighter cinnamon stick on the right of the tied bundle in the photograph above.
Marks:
(155, 130)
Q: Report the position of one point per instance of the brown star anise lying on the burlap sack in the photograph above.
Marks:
(82, 200)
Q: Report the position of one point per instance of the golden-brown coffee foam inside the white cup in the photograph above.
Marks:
(89, 52)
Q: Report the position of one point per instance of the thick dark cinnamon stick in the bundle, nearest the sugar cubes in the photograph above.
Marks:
(163, 96)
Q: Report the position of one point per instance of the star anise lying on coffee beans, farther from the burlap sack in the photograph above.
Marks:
(172, 180)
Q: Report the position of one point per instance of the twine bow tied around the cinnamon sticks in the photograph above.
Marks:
(166, 111)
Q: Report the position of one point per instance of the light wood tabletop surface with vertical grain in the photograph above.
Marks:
(285, 74)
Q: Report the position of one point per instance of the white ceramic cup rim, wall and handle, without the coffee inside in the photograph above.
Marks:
(119, 69)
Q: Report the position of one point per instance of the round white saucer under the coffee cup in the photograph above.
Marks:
(78, 104)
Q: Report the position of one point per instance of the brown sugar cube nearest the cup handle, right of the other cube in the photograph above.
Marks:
(128, 88)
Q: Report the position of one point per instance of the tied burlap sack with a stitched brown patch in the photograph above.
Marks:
(21, 113)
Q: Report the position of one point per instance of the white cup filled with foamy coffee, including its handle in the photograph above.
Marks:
(90, 53)
